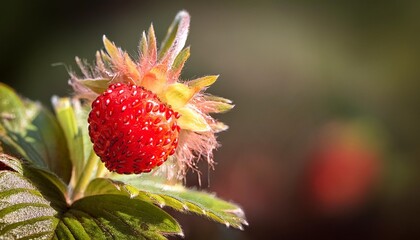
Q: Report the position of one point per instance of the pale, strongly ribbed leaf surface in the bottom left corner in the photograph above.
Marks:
(24, 212)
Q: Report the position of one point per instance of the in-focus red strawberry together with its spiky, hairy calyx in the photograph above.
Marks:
(157, 71)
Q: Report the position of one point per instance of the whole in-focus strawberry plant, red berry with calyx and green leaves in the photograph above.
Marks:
(113, 156)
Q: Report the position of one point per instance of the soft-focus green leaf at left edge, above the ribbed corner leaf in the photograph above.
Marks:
(29, 130)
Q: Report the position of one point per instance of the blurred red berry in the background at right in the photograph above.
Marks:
(343, 169)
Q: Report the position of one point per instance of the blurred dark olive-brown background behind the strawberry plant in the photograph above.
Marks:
(324, 141)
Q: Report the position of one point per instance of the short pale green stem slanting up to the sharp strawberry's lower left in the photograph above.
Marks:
(85, 176)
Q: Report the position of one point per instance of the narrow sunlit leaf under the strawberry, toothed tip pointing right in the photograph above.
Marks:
(174, 196)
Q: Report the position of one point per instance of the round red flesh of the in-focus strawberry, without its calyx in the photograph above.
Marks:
(131, 129)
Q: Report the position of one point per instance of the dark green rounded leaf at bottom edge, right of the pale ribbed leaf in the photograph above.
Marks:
(115, 217)
